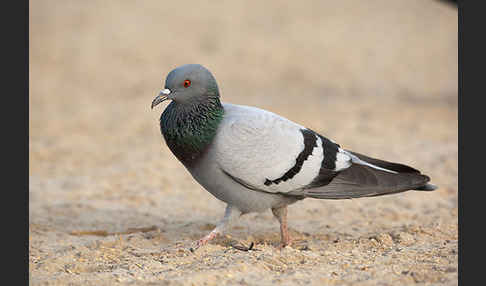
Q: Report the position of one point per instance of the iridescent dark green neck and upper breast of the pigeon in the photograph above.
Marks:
(189, 129)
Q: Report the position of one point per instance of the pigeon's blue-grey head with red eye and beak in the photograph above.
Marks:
(188, 84)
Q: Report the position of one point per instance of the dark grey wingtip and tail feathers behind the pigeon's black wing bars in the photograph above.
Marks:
(365, 181)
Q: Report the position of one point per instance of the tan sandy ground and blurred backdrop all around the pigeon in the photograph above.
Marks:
(109, 204)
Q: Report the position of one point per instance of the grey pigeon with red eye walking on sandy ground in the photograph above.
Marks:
(255, 160)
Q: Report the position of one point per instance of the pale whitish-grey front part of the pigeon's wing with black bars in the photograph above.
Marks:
(267, 152)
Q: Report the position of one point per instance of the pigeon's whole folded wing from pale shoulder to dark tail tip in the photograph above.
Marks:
(265, 152)
